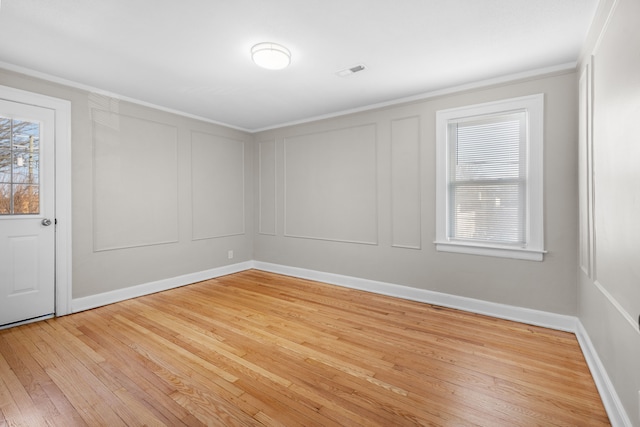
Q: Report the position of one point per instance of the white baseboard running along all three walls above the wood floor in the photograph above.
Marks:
(611, 401)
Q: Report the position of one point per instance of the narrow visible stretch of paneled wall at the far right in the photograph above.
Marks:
(609, 271)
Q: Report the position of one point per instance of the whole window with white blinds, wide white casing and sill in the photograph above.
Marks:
(489, 179)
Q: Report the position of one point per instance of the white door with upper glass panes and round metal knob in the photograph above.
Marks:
(27, 217)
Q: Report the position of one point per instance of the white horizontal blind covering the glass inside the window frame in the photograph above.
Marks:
(488, 179)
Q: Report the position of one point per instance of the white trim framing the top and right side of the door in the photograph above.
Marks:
(62, 110)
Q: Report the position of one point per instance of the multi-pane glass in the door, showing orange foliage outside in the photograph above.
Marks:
(19, 167)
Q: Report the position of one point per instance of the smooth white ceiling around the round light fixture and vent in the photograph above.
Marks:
(193, 56)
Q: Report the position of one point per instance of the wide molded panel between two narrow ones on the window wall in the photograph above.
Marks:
(331, 185)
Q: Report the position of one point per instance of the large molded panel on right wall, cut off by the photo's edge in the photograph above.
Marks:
(616, 85)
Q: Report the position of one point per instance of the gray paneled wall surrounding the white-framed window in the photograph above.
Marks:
(354, 195)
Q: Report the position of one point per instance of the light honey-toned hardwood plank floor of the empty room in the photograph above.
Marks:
(255, 348)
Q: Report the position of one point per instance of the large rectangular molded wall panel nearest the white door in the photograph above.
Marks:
(135, 185)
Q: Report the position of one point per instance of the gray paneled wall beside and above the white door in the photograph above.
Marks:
(155, 195)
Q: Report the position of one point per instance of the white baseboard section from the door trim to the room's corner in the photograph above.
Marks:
(93, 301)
